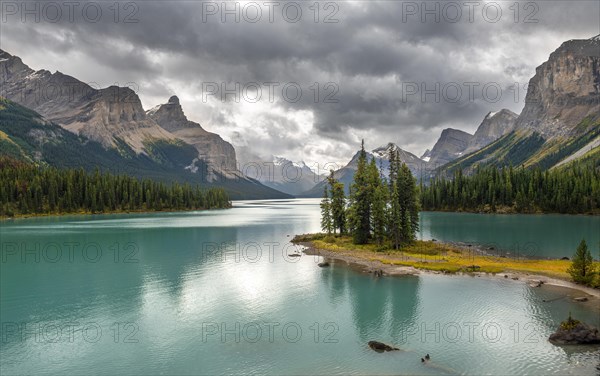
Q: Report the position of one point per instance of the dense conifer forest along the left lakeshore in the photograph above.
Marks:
(28, 189)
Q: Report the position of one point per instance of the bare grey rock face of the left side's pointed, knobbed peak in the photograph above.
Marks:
(211, 147)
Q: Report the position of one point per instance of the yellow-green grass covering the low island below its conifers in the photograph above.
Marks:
(436, 256)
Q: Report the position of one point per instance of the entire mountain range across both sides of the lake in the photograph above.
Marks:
(58, 120)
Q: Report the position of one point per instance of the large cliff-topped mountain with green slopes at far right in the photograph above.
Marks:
(561, 117)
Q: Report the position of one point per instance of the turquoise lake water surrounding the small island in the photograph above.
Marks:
(216, 293)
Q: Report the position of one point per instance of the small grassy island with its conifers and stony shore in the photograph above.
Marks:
(376, 226)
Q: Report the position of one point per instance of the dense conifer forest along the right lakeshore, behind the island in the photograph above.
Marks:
(571, 189)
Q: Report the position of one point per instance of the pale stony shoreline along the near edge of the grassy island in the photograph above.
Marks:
(365, 265)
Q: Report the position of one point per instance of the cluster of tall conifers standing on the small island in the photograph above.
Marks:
(379, 208)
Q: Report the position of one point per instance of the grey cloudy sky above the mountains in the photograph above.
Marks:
(306, 80)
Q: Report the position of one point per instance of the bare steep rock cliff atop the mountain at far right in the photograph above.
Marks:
(564, 91)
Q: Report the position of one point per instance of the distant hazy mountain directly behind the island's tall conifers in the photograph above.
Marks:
(345, 175)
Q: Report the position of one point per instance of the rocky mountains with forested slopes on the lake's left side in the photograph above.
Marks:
(114, 118)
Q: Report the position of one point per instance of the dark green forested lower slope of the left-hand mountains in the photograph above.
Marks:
(25, 135)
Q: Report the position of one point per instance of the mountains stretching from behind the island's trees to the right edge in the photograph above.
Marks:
(559, 123)
